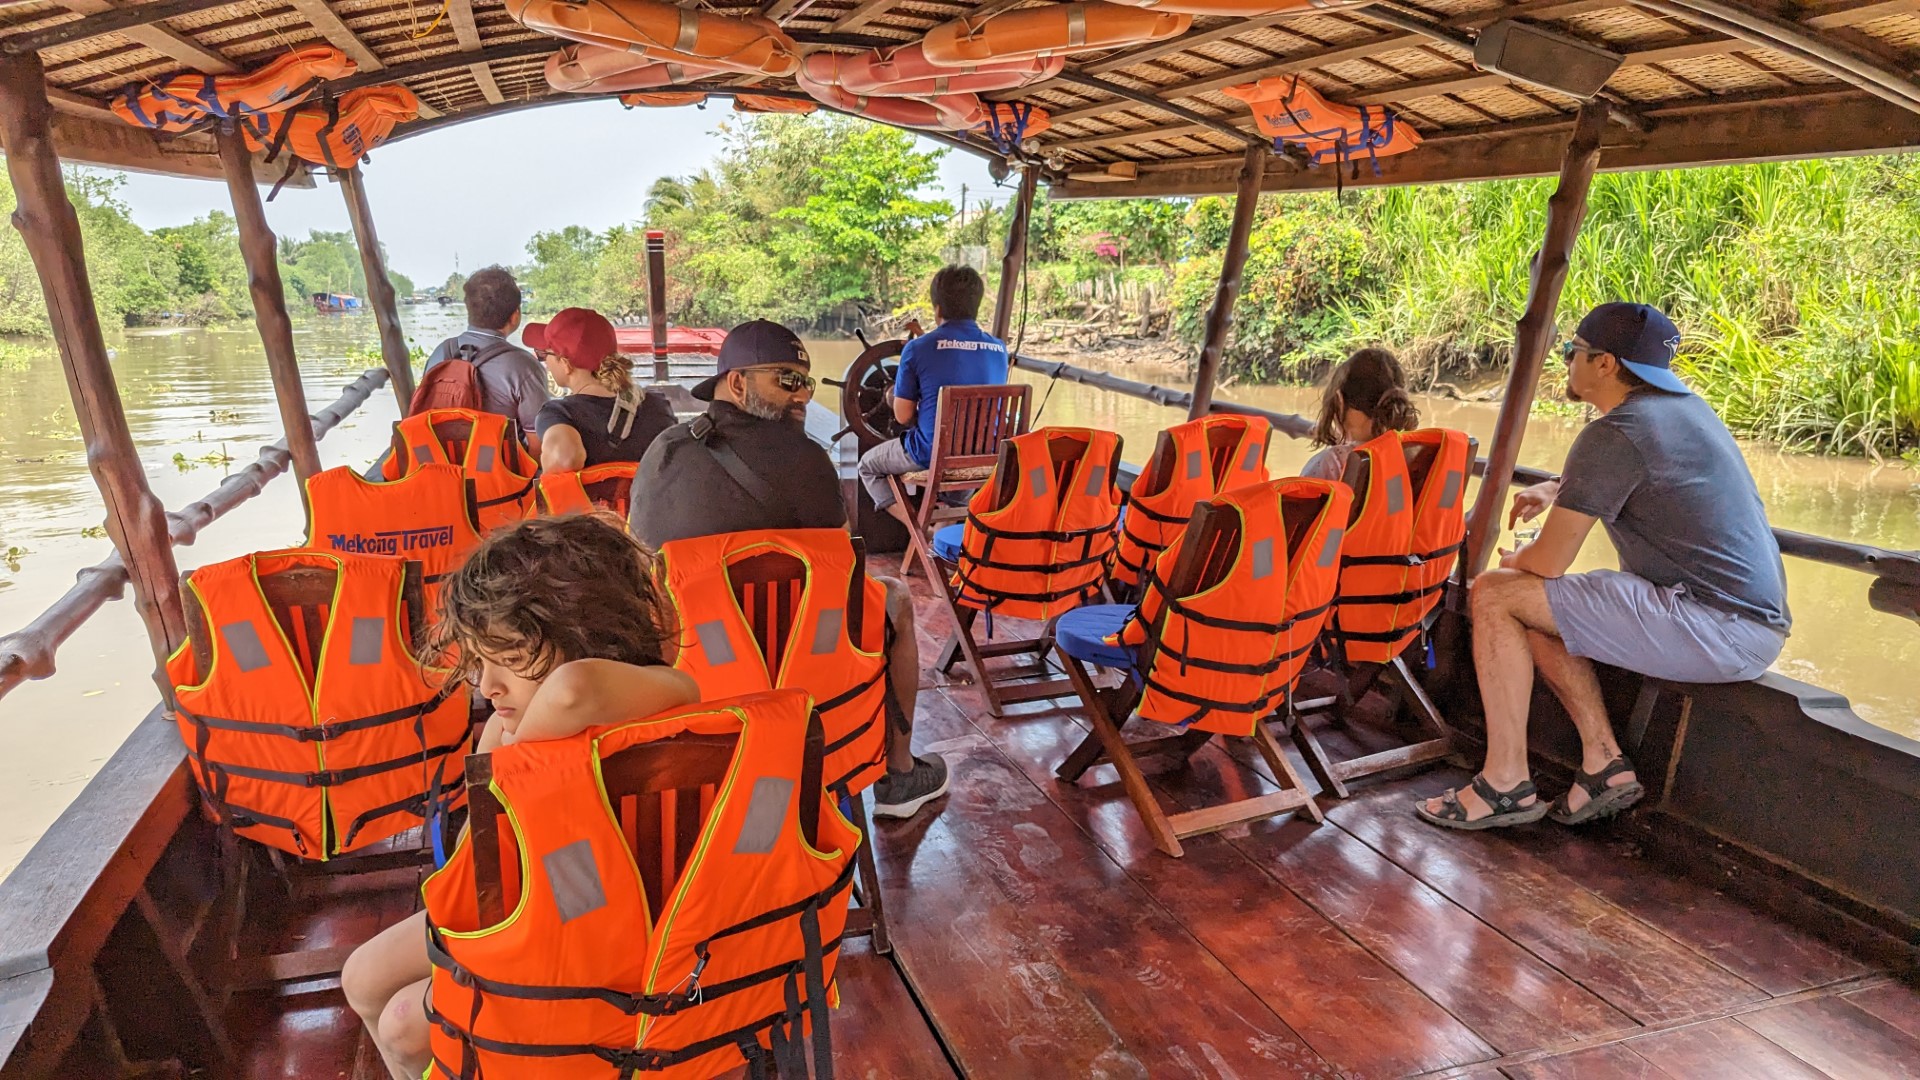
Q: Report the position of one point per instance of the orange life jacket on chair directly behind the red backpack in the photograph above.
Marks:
(483, 445)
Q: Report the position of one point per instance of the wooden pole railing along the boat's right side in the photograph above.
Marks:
(1896, 589)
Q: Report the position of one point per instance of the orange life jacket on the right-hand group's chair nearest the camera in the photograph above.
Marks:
(1228, 654)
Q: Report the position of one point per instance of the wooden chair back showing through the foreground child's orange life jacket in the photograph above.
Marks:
(660, 793)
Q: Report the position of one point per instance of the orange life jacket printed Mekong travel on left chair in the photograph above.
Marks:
(425, 516)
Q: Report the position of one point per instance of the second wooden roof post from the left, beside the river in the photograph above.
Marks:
(270, 305)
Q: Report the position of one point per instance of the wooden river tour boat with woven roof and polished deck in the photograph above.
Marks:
(1760, 916)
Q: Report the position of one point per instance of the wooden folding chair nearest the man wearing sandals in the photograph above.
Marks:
(1360, 677)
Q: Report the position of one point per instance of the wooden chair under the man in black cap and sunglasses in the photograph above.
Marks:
(769, 591)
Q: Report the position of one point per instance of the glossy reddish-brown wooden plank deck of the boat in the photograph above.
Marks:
(1038, 933)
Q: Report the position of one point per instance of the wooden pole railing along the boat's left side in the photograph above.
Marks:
(30, 652)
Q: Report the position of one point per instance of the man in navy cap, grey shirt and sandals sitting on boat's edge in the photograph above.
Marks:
(1700, 595)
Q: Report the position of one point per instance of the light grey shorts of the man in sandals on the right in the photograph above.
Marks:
(1662, 631)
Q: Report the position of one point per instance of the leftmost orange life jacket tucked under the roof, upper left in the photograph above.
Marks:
(189, 101)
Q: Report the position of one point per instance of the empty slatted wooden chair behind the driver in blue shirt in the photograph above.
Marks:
(969, 428)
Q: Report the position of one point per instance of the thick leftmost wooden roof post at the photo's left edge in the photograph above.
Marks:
(137, 522)
